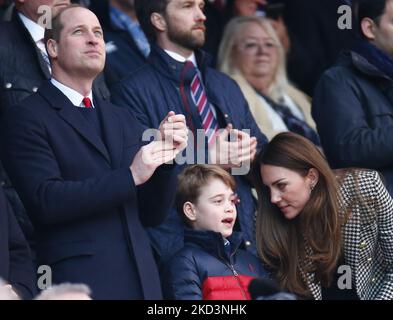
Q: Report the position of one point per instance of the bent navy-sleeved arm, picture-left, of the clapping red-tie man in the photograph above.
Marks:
(28, 158)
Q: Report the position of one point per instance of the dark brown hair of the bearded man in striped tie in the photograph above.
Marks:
(144, 10)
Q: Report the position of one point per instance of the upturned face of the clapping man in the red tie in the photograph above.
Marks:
(80, 51)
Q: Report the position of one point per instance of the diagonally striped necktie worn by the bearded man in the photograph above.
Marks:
(205, 109)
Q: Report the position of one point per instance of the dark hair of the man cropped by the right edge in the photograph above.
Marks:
(372, 9)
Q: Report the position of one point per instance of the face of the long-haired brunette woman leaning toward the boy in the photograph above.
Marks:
(289, 190)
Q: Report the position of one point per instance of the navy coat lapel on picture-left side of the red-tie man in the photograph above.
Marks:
(73, 117)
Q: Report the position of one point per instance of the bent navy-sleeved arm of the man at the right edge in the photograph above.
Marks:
(342, 123)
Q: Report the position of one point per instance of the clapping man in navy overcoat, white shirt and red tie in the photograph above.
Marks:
(80, 168)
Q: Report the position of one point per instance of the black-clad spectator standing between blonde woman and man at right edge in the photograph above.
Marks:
(315, 39)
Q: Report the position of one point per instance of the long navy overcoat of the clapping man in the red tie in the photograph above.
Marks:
(80, 193)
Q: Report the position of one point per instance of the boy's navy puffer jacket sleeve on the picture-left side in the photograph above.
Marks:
(181, 280)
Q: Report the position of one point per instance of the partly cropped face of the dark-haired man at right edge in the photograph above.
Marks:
(383, 32)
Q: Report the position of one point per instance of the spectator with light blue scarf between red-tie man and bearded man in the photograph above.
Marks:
(126, 45)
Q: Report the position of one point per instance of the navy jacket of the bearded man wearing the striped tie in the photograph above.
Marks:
(154, 90)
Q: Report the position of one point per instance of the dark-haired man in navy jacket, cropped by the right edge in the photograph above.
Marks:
(353, 101)
